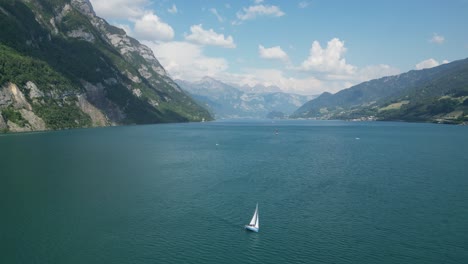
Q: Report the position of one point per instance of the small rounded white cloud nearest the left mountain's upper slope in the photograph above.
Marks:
(150, 27)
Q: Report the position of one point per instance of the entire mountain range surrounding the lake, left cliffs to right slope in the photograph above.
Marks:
(62, 67)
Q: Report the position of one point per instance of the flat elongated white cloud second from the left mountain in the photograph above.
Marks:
(209, 37)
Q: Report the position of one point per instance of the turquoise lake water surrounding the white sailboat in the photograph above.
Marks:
(328, 192)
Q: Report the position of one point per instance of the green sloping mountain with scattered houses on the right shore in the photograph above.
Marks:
(438, 94)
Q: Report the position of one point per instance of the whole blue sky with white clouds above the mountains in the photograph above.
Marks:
(305, 47)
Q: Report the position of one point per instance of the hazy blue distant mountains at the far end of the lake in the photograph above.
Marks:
(226, 101)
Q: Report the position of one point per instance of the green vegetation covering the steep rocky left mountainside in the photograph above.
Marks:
(33, 49)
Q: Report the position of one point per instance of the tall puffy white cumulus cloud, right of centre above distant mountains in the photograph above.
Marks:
(328, 60)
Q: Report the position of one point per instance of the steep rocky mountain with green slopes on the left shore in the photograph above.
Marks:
(61, 66)
